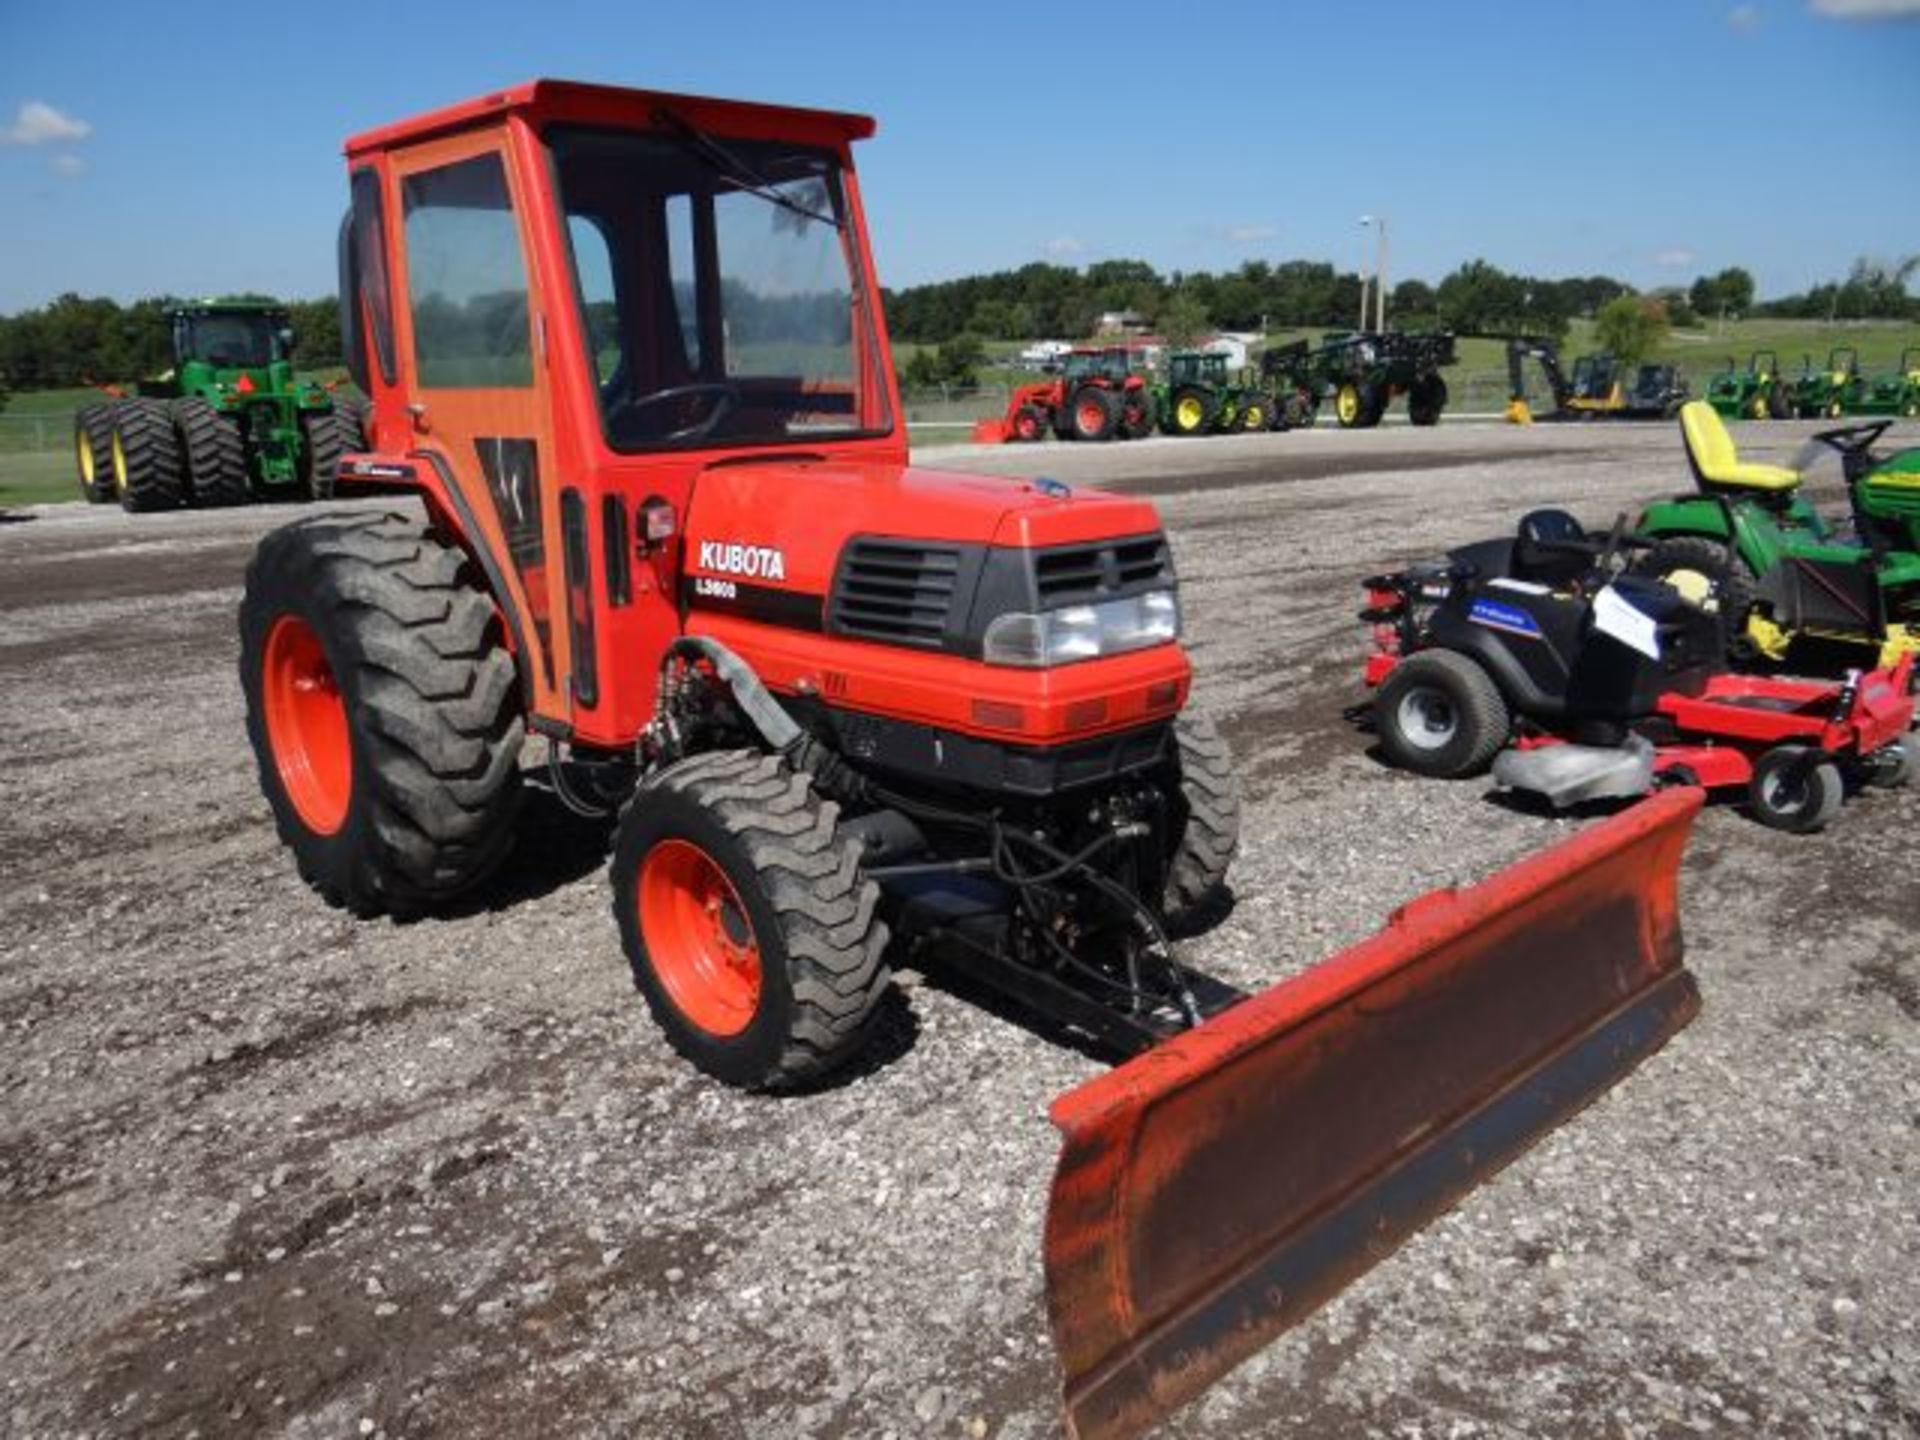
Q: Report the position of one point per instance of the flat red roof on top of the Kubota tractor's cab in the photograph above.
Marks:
(610, 105)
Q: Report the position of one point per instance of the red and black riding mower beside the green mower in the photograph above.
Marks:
(1541, 656)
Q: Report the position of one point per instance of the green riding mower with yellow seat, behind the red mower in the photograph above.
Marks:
(1790, 585)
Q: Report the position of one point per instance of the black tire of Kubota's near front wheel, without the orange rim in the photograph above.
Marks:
(811, 876)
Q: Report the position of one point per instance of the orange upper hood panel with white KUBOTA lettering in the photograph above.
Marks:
(786, 521)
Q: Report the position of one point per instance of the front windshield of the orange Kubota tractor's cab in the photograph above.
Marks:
(721, 291)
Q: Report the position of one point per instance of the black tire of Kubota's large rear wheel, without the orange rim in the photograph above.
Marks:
(435, 700)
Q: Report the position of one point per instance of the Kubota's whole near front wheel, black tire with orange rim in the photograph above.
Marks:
(750, 928)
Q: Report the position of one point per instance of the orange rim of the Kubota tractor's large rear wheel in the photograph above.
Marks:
(308, 725)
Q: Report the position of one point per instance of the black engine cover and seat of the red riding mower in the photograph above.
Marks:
(1556, 661)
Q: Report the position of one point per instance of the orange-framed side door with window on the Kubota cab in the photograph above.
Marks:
(477, 387)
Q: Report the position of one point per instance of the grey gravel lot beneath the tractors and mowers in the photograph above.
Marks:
(270, 1170)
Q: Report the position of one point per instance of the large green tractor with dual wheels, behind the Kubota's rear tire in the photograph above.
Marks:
(229, 423)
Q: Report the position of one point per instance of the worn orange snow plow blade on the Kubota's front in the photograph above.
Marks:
(1224, 1186)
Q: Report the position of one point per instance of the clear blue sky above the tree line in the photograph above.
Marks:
(170, 149)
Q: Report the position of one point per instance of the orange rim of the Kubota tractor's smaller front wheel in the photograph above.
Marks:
(700, 938)
